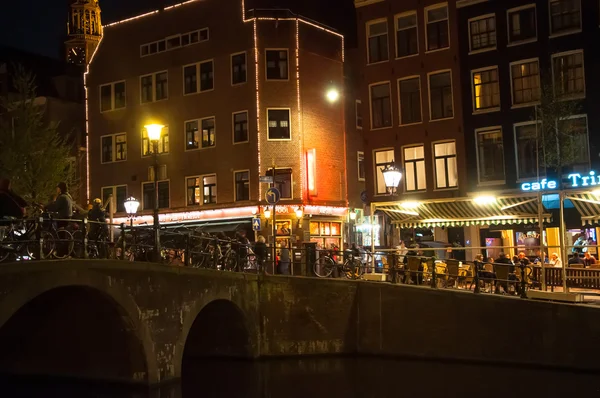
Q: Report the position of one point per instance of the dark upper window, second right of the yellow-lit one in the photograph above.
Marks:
(569, 78)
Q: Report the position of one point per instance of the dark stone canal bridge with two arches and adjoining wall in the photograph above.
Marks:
(139, 322)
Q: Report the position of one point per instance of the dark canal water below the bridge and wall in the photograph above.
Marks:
(333, 377)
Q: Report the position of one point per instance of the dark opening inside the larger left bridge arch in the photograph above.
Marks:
(72, 331)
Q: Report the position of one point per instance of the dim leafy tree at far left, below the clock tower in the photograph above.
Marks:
(33, 154)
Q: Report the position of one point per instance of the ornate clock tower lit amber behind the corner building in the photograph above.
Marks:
(84, 30)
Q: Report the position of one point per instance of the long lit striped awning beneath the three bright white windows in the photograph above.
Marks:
(463, 211)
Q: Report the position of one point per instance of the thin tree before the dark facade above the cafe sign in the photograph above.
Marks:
(560, 135)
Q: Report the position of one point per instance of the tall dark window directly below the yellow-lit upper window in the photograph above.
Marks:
(490, 155)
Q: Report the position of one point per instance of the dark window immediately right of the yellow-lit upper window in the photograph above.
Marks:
(525, 77)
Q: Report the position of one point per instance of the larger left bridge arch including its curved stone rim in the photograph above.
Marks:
(75, 323)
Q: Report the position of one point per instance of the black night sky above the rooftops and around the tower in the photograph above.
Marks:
(38, 26)
